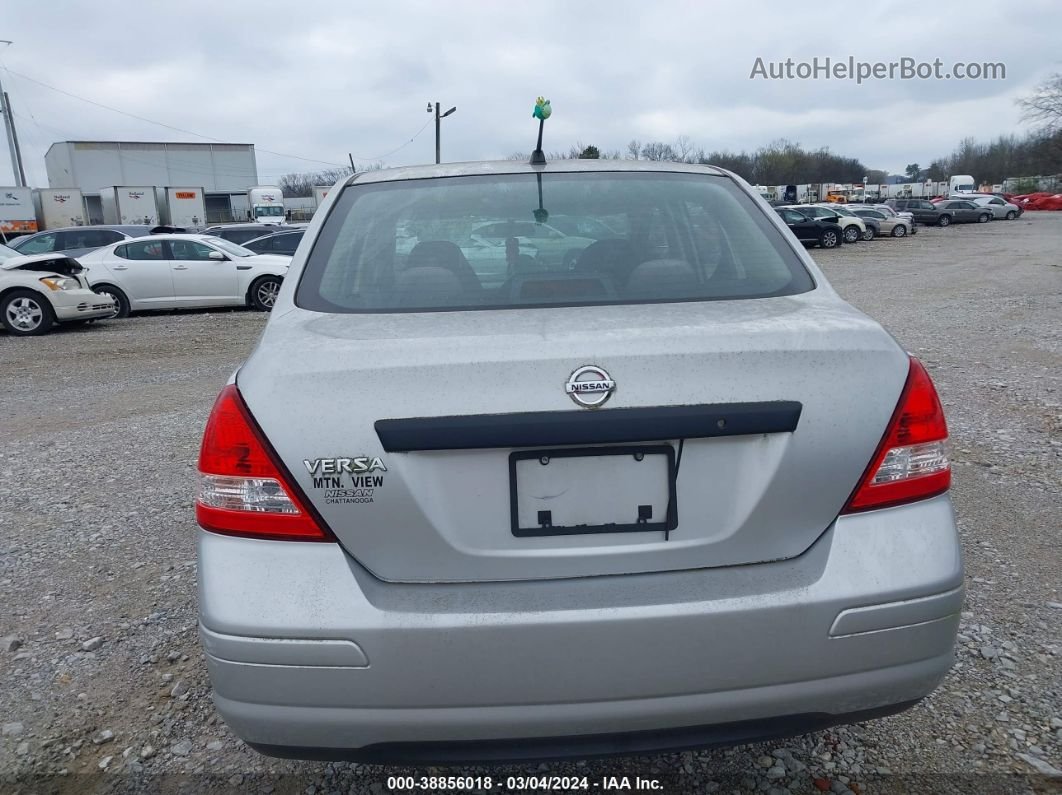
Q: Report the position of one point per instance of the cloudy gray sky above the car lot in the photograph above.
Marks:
(318, 80)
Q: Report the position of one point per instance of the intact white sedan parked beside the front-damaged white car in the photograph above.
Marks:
(184, 271)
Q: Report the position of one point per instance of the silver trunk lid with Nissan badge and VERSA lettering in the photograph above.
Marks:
(431, 443)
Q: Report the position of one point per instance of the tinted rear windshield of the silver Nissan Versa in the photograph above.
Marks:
(487, 243)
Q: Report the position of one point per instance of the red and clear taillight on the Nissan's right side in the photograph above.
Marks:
(912, 462)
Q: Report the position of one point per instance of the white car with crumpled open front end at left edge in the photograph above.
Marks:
(40, 291)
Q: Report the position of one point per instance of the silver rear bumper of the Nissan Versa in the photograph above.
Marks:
(312, 656)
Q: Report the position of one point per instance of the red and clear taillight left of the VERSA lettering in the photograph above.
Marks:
(244, 488)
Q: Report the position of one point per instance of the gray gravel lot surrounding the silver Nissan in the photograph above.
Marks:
(102, 684)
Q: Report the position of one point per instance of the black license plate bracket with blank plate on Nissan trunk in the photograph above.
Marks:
(627, 489)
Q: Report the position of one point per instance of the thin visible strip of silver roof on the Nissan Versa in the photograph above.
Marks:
(522, 167)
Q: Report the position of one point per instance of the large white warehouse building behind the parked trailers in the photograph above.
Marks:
(225, 171)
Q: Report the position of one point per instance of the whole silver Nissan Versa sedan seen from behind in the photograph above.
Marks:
(664, 491)
